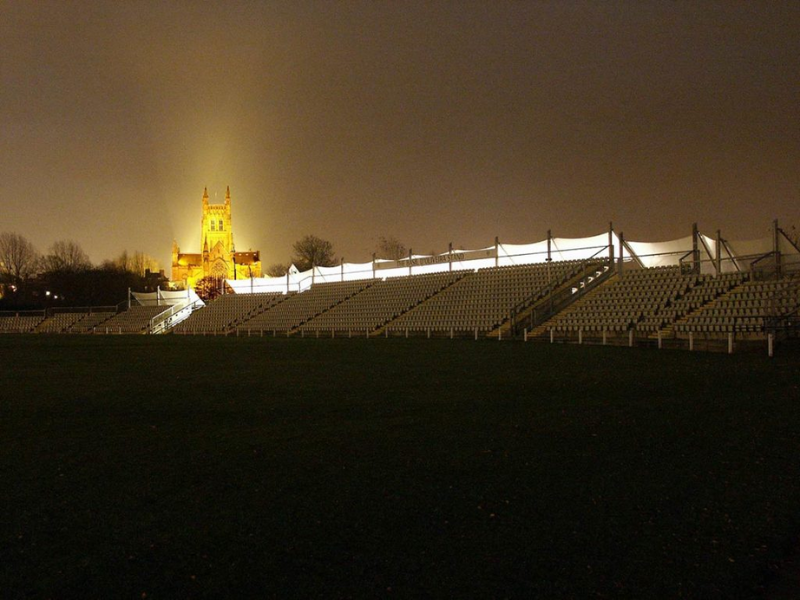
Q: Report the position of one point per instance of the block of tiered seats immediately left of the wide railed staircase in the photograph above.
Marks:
(484, 299)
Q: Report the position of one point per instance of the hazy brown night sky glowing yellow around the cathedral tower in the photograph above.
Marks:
(429, 121)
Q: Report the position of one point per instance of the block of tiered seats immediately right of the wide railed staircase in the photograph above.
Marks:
(636, 301)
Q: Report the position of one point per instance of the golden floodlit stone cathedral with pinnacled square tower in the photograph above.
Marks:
(218, 257)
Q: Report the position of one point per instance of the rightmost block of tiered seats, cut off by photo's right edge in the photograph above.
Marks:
(746, 308)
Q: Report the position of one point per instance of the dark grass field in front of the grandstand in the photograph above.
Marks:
(190, 467)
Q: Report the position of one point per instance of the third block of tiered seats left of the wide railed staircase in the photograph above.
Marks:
(299, 308)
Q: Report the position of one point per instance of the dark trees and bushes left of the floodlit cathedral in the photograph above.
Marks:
(64, 275)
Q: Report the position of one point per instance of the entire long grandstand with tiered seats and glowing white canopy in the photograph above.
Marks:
(585, 290)
